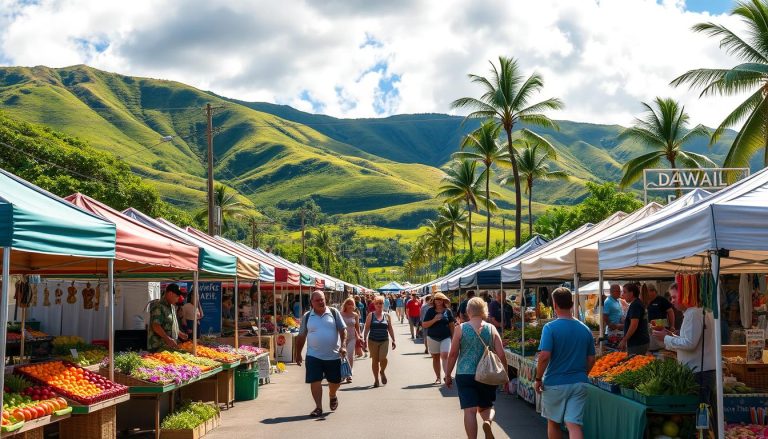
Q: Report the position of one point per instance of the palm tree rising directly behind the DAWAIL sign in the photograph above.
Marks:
(663, 129)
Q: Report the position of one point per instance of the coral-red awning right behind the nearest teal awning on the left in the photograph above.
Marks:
(139, 248)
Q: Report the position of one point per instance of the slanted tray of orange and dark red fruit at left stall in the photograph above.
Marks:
(73, 382)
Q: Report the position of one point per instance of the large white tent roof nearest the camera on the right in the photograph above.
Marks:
(735, 219)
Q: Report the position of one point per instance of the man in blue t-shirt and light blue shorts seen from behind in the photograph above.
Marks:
(567, 353)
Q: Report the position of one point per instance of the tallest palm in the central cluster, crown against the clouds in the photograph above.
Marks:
(505, 98)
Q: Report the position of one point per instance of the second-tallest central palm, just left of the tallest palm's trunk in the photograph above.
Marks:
(486, 150)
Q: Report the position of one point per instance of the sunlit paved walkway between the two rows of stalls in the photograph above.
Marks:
(409, 406)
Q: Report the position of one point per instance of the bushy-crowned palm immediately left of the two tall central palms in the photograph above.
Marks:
(462, 184)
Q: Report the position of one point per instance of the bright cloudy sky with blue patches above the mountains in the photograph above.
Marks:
(357, 58)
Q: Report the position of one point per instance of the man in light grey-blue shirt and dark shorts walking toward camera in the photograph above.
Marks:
(324, 331)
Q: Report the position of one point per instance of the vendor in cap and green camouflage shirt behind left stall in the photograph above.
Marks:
(163, 331)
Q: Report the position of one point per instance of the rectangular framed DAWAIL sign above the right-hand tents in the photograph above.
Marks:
(672, 180)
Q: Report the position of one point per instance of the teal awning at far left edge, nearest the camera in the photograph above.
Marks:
(48, 230)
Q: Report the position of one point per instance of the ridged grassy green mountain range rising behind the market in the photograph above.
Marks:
(380, 171)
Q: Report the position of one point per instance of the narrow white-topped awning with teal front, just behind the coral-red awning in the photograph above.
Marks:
(210, 260)
